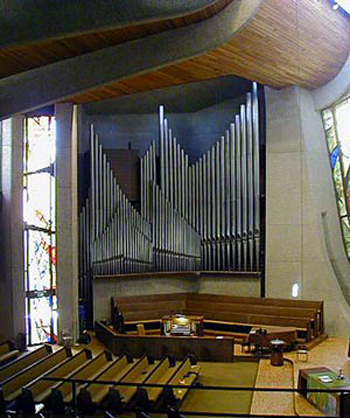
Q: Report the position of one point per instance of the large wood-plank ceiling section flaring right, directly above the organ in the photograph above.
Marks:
(288, 42)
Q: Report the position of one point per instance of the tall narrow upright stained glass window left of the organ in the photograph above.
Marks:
(39, 216)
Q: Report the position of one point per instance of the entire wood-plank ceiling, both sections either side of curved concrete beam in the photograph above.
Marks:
(287, 42)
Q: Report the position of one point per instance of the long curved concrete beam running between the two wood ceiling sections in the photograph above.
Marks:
(49, 84)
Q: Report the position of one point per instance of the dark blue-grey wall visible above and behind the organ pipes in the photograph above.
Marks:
(196, 132)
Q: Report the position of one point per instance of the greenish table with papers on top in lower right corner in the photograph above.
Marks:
(329, 403)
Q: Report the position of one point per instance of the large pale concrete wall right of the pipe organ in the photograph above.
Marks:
(299, 194)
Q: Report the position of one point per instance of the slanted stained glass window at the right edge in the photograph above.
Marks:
(336, 122)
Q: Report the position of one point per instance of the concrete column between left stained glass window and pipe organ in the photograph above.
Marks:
(67, 221)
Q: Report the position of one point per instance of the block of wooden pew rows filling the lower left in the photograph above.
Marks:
(41, 382)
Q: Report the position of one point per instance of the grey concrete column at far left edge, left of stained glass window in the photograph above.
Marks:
(12, 295)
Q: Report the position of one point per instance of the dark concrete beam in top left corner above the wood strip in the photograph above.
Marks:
(26, 21)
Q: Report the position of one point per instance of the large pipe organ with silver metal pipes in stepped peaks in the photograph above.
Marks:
(200, 216)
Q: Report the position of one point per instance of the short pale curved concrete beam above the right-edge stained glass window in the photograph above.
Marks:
(333, 91)
